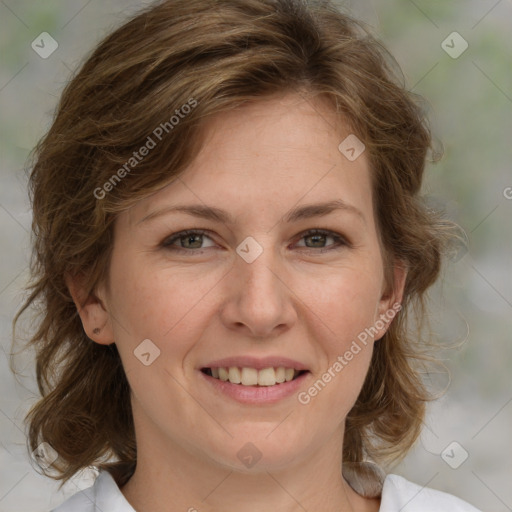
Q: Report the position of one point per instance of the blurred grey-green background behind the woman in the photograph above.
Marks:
(466, 446)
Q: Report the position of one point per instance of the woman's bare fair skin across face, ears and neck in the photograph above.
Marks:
(296, 300)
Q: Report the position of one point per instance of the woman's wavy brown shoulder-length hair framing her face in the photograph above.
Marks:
(219, 54)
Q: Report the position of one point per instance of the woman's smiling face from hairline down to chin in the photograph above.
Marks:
(254, 290)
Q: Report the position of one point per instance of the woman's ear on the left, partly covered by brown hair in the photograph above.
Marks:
(91, 308)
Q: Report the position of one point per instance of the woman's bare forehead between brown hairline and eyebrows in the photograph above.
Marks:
(268, 156)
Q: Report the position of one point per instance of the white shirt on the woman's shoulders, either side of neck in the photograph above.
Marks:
(398, 495)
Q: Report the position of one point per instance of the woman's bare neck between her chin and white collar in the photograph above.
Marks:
(186, 481)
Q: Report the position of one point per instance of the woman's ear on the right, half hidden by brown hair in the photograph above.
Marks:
(390, 302)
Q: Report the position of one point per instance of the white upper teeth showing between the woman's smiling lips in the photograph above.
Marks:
(252, 376)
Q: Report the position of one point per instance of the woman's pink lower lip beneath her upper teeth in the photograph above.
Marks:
(256, 394)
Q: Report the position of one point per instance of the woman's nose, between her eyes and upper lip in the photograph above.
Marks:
(258, 303)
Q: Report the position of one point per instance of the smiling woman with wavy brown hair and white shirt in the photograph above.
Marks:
(230, 247)
